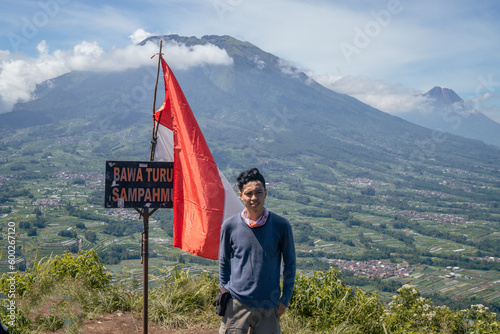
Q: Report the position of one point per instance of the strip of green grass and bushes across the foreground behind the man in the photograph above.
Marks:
(60, 292)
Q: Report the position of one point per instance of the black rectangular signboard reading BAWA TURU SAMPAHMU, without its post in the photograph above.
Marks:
(137, 184)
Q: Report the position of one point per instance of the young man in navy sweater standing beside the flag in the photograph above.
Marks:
(252, 245)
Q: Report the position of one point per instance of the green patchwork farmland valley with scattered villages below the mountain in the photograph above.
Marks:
(440, 224)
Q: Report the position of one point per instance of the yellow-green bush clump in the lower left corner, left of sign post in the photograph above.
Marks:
(66, 283)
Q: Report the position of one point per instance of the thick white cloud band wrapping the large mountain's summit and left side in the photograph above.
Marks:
(19, 76)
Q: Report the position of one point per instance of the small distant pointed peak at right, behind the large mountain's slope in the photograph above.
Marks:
(449, 113)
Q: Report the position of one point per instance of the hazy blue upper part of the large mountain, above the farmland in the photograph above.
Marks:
(258, 102)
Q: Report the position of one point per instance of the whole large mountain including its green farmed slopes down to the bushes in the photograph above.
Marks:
(357, 184)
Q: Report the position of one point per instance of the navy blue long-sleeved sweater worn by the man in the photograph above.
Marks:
(250, 260)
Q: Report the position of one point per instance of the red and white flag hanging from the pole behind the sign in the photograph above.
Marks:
(202, 197)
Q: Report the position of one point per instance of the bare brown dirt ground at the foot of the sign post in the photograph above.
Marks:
(125, 323)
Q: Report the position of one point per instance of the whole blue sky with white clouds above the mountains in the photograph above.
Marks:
(382, 52)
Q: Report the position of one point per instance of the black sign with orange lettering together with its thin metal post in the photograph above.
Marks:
(142, 186)
